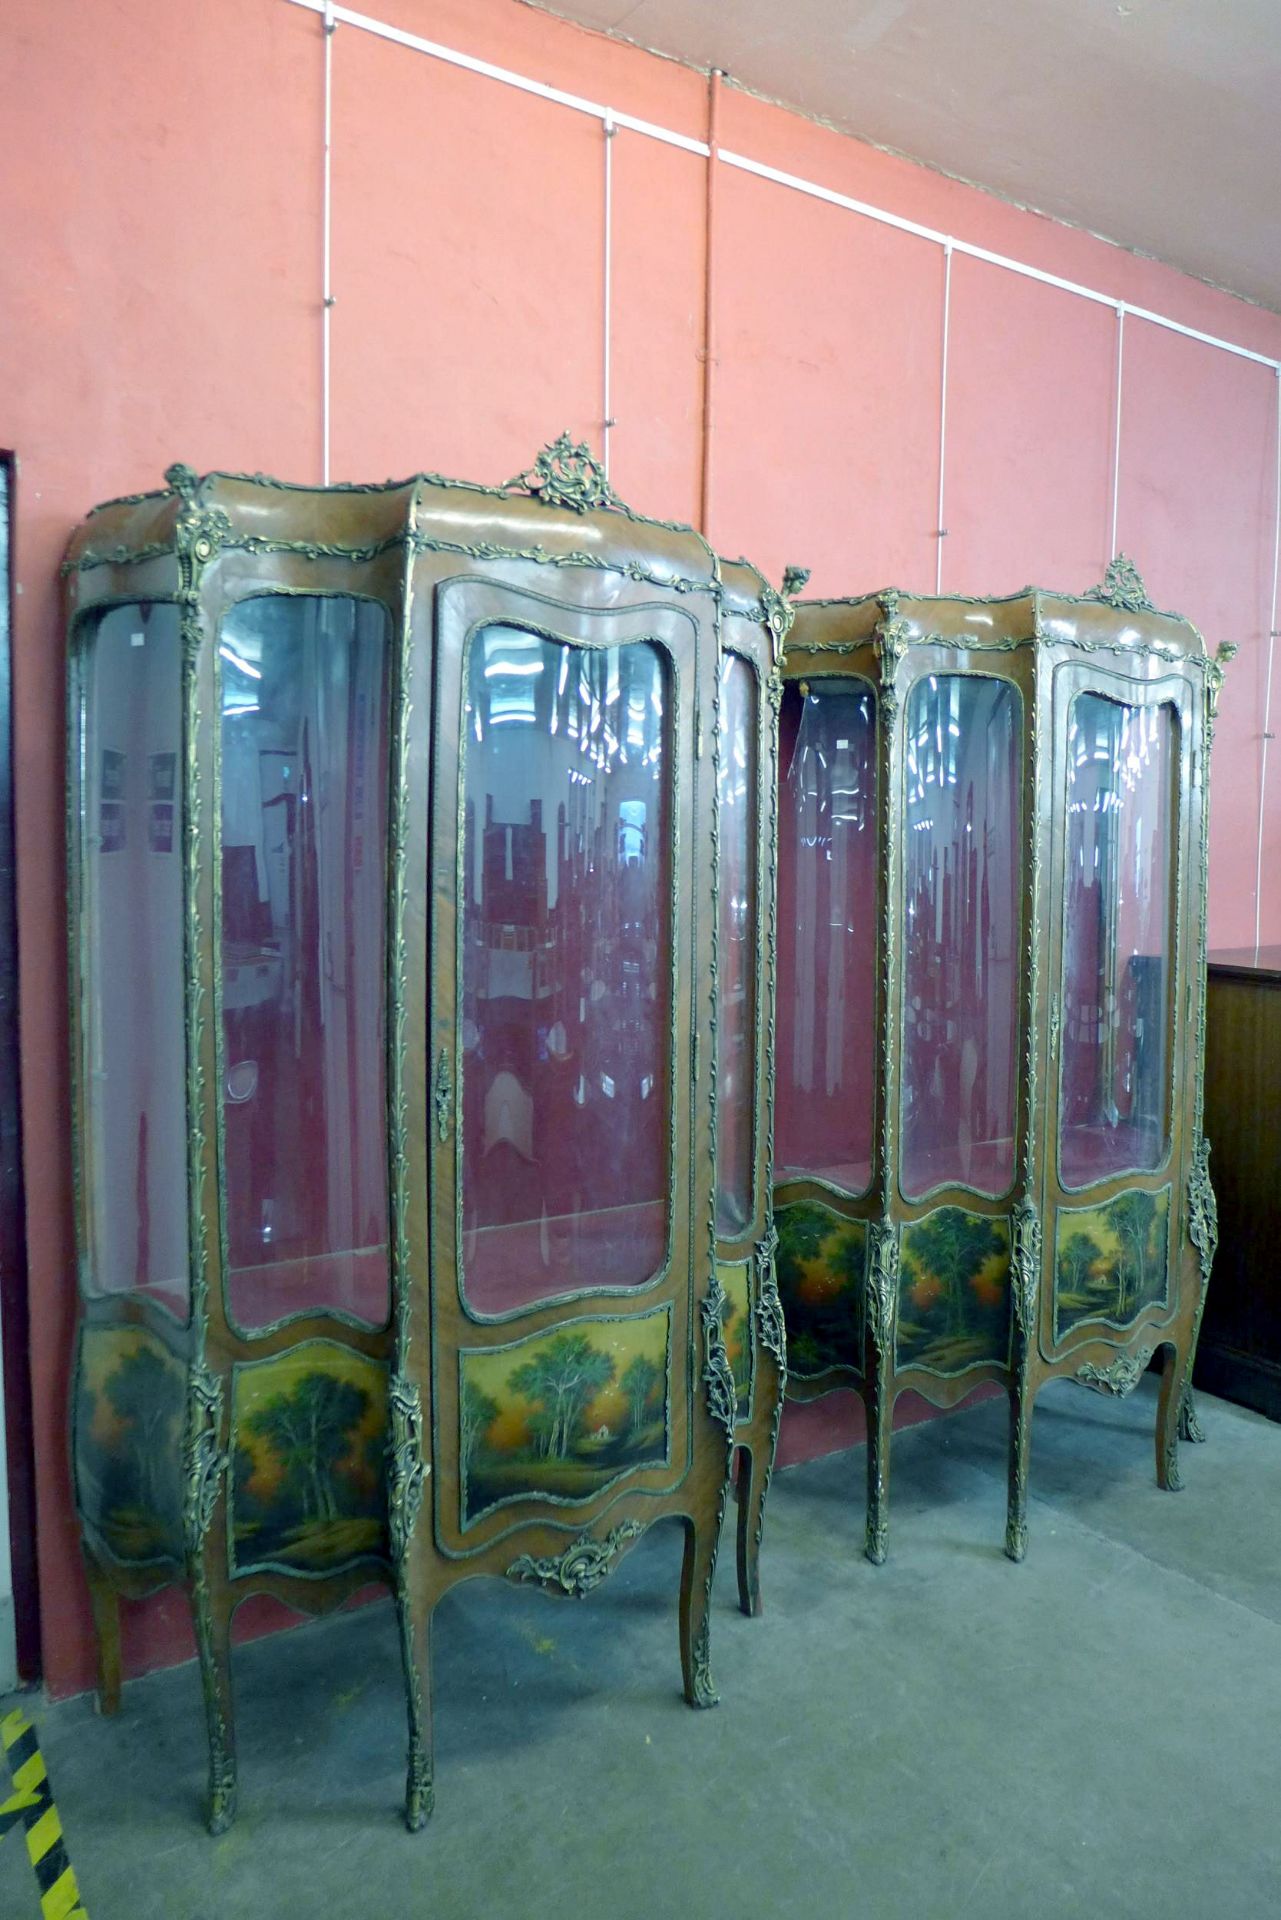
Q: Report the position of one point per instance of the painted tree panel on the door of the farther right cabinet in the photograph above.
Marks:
(1111, 1260)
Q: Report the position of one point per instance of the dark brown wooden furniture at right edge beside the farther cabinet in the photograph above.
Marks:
(1242, 1333)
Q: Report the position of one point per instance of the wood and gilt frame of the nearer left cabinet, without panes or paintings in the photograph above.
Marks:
(562, 556)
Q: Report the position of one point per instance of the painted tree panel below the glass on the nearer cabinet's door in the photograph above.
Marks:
(562, 1414)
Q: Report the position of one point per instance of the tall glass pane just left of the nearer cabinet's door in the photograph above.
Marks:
(304, 742)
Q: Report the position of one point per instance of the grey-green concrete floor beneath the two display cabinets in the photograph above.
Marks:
(1094, 1733)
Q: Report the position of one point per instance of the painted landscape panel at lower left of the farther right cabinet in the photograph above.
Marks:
(821, 1270)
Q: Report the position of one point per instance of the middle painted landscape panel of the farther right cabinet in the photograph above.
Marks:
(954, 1291)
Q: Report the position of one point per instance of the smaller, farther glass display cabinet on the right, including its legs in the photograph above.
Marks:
(992, 878)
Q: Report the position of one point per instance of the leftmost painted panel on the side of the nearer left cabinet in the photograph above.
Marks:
(130, 1443)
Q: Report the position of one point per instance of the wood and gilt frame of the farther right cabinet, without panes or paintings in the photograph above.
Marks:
(1048, 648)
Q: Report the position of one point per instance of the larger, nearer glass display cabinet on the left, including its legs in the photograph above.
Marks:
(422, 909)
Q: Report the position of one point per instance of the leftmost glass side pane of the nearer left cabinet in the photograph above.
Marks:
(133, 1045)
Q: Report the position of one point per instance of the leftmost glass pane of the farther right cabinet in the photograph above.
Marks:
(827, 934)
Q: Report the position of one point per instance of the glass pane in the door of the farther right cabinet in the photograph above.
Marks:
(1119, 890)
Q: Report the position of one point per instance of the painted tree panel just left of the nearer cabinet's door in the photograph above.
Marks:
(308, 1487)
